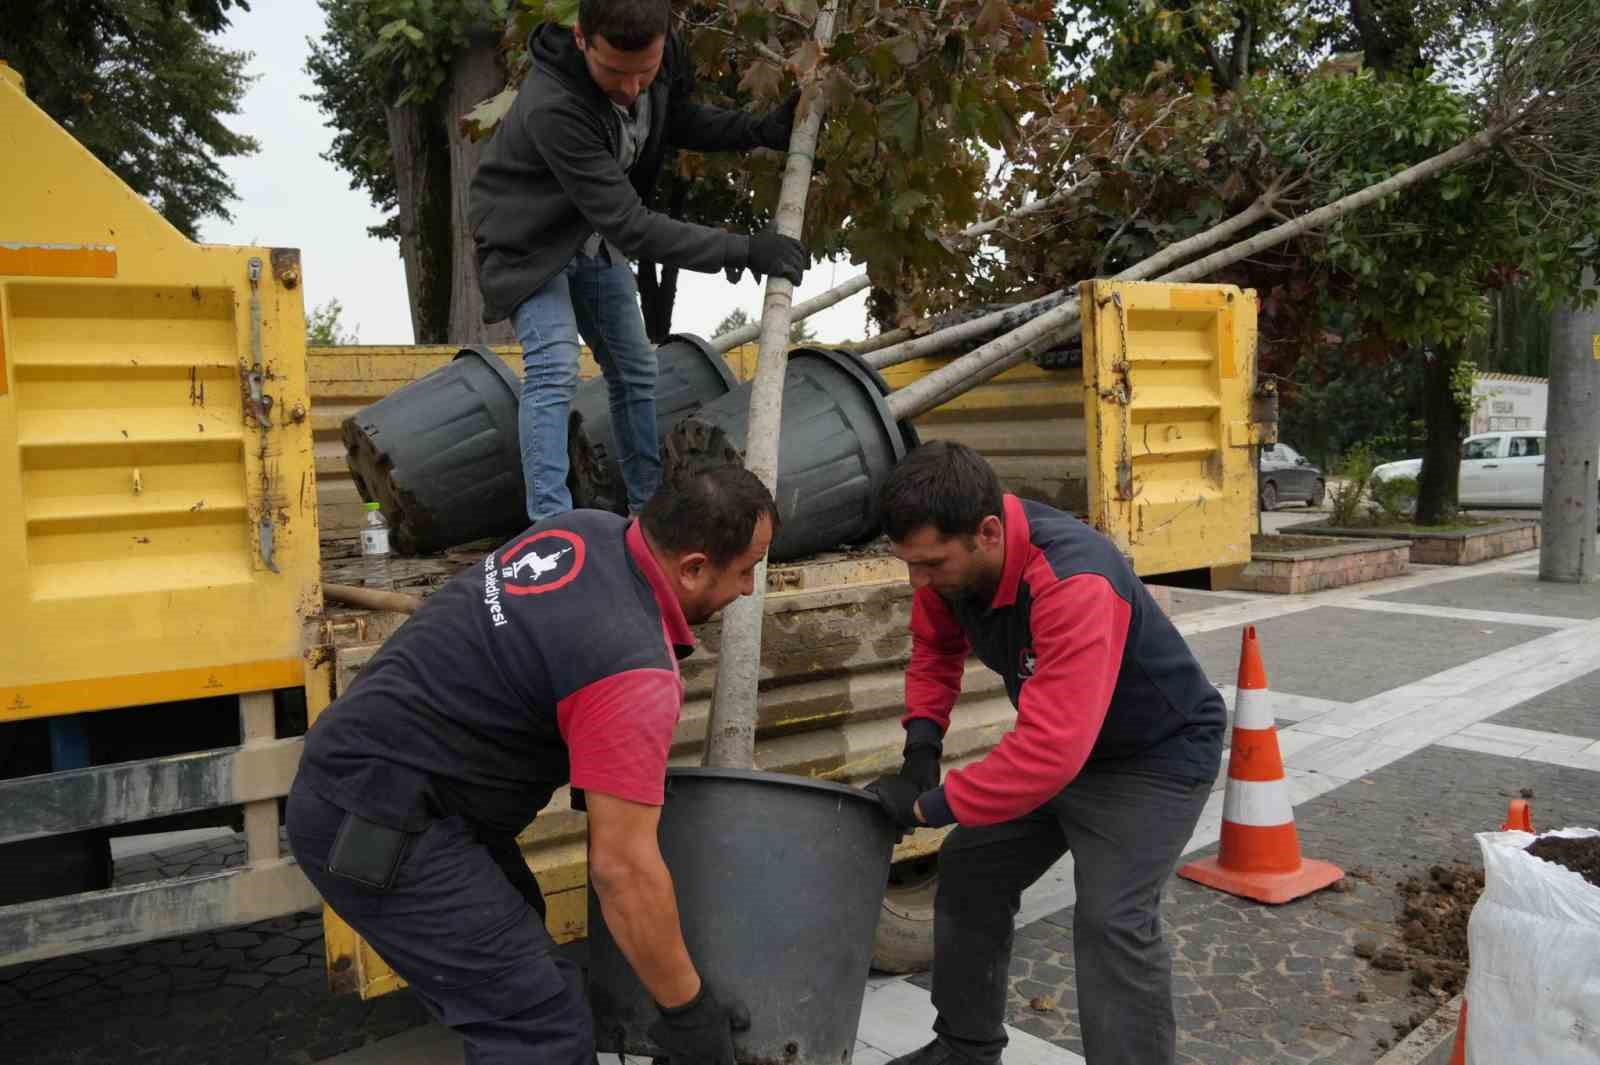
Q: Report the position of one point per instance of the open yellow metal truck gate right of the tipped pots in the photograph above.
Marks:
(1169, 377)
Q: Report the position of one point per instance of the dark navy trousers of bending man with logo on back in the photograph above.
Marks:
(463, 923)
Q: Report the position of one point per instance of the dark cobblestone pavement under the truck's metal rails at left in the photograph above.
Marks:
(257, 994)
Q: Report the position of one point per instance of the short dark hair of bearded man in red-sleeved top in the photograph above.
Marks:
(945, 485)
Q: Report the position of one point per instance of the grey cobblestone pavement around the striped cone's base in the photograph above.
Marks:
(1262, 984)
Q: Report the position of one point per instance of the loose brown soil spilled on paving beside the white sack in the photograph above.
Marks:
(1433, 928)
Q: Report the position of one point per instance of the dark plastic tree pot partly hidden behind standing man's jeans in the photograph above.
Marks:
(689, 375)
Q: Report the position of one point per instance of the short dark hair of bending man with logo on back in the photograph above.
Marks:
(713, 511)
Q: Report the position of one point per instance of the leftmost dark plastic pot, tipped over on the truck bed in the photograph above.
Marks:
(441, 455)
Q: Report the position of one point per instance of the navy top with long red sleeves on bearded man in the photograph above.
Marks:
(1095, 669)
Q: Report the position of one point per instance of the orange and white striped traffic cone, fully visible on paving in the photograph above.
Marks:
(1260, 858)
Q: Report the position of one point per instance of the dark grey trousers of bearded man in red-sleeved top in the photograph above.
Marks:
(1126, 831)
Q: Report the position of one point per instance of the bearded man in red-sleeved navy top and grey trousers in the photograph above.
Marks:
(1118, 741)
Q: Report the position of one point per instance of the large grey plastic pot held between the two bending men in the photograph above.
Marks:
(780, 882)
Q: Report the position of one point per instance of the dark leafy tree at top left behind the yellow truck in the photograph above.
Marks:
(143, 89)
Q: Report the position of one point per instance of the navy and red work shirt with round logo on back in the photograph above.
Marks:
(554, 661)
